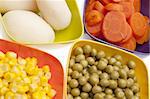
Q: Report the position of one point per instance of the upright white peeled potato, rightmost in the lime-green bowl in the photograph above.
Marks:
(55, 12)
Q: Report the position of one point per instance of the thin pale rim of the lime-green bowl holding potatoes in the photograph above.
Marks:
(45, 43)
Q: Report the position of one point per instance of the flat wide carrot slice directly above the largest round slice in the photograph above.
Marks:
(114, 7)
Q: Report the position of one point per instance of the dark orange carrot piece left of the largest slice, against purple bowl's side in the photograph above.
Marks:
(94, 30)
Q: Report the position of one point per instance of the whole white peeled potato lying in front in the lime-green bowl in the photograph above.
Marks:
(28, 27)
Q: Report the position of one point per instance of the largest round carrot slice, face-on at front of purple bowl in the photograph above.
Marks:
(114, 26)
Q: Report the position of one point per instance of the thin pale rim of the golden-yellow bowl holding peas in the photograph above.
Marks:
(112, 47)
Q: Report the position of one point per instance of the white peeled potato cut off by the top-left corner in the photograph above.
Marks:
(7, 5)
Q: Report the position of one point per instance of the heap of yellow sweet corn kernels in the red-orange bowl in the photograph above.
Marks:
(23, 79)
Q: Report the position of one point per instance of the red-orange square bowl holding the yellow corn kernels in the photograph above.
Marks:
(57, 79)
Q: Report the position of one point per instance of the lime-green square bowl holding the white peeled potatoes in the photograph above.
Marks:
(73, 32)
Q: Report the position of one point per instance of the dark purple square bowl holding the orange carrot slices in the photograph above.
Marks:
(141, 49)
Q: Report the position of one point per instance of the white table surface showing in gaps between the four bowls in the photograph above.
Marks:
(60, 51)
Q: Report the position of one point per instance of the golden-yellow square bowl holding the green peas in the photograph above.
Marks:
(140, 70)
